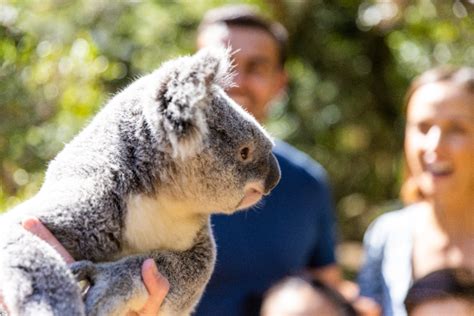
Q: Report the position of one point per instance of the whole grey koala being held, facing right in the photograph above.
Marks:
(140, 181)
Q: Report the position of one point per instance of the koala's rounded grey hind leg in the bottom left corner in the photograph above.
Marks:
(34, 280)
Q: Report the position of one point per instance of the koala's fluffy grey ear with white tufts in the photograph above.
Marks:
(185, 91)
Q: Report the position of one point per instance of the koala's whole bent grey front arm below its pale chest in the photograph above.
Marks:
(117, 286)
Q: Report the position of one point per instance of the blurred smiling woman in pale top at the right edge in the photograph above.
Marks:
(436, 228)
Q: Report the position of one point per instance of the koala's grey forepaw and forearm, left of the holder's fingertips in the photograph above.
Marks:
(115, 287)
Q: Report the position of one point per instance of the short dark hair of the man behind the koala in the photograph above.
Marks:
(247, 16)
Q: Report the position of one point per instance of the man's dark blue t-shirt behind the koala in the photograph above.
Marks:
(290, 230)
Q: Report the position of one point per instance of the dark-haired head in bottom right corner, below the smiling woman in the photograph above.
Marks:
(442, 292)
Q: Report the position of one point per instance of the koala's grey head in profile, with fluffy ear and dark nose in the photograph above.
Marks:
(222, 157)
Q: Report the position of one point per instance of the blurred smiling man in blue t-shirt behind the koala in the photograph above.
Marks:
(293, 229)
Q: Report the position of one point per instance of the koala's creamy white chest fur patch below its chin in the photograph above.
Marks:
(159, 223)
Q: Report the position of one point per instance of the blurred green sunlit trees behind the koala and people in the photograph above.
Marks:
(350, 63)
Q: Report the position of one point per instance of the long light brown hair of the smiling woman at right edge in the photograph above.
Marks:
(463, 77)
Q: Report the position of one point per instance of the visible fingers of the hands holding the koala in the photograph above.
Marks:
(156, 285)
